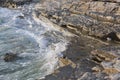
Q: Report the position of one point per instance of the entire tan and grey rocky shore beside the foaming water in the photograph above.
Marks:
(94, 53)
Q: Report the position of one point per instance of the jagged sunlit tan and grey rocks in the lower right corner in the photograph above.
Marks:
(108, 58)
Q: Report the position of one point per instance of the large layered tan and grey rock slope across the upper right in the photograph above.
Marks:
(95, 18)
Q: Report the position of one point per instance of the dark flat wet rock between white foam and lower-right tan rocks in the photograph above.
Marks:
(77, 64)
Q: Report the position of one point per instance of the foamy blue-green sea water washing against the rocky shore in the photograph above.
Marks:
(37, 44)
